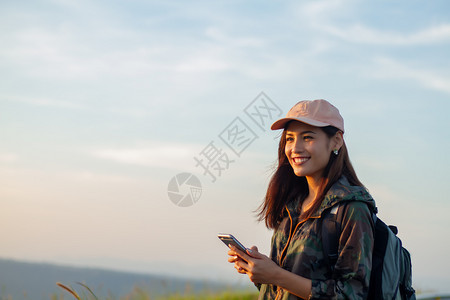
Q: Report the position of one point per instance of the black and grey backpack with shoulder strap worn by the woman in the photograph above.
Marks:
(391, 275)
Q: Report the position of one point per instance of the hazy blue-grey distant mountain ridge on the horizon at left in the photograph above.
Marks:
(24, 280)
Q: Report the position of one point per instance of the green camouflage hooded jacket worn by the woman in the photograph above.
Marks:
(297, 247)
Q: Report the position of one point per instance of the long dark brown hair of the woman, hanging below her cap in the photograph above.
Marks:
(285, 186)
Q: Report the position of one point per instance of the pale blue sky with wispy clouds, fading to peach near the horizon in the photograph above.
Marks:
(102, 103)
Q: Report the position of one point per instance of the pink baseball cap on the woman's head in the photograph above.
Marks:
(320, 113)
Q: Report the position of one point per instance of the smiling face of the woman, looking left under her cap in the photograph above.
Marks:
(308, 149)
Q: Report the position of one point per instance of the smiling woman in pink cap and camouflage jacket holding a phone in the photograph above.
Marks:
(314, 174)
